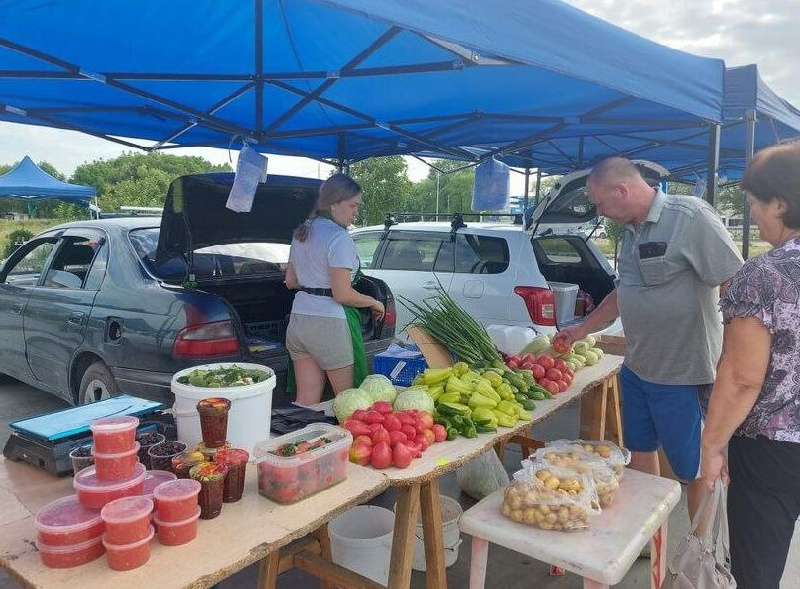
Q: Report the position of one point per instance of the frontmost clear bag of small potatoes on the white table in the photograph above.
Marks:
(550, 498)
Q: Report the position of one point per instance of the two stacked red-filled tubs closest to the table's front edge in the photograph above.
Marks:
(128, 532)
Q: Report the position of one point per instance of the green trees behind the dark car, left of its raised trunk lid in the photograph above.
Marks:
(136, 179)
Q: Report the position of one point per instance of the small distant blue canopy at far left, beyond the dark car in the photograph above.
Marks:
(27, 180)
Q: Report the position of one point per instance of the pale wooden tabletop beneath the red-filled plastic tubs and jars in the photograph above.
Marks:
(249, 531)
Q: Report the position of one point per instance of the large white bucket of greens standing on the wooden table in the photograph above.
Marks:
(250, 412)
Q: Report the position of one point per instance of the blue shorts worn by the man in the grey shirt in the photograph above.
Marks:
(656, 415)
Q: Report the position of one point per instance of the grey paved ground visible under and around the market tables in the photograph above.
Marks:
(506, 568)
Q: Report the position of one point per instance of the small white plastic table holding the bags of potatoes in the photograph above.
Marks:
(603, 553)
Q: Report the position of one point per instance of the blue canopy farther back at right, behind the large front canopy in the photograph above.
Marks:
(682, 151)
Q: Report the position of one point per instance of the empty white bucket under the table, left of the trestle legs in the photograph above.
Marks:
(361, 540)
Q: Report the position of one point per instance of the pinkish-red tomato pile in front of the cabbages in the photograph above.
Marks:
(384, 437)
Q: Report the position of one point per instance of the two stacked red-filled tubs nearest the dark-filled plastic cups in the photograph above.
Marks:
(177, 511)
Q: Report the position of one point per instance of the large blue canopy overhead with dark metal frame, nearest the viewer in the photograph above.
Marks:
(343, 79)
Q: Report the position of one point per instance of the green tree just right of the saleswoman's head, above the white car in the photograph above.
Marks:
(386, 187)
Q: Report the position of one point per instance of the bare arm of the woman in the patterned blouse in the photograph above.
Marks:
(740, 376)
